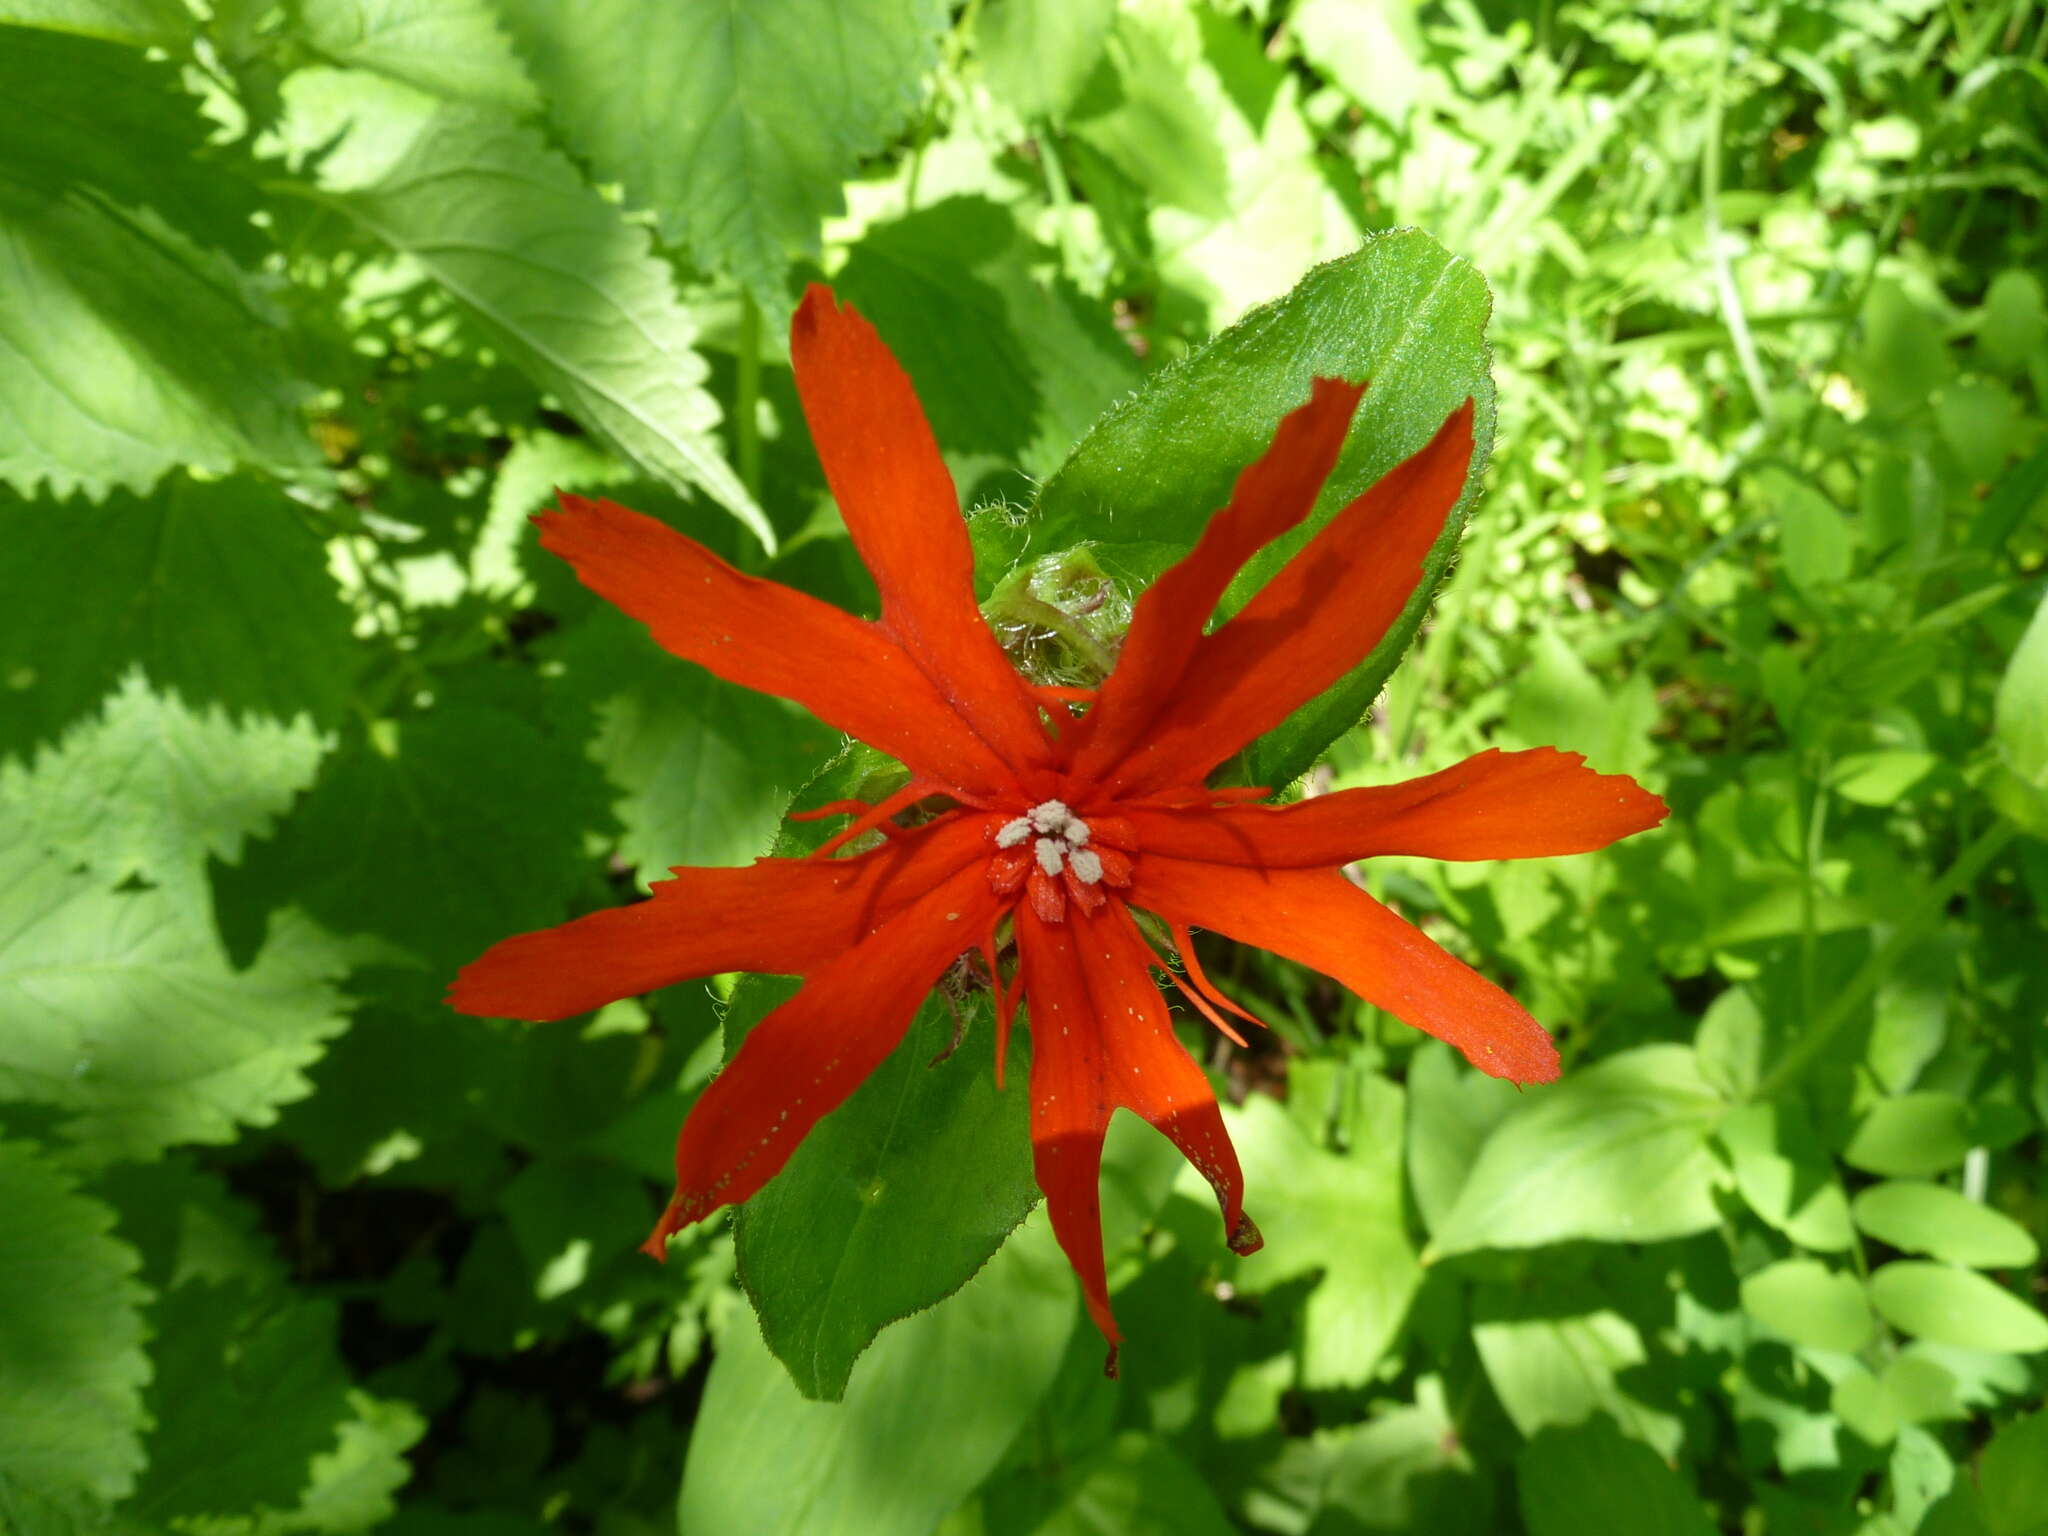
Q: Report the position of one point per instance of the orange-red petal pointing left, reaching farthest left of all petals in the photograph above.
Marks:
(785, 916)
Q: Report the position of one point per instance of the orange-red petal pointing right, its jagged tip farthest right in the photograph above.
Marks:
(1492, 806)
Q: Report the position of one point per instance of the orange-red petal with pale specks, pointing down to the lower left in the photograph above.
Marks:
(810, 1054)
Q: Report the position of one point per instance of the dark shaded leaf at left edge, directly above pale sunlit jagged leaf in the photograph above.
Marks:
(218, 591)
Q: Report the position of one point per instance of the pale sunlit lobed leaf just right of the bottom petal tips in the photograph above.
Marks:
(1302, 1197)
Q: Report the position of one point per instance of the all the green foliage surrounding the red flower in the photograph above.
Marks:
(304, 310)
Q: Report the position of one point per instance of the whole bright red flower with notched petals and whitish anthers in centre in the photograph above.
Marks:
(1054, 822)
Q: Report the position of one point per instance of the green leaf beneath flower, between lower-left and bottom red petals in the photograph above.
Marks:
(894, 1201)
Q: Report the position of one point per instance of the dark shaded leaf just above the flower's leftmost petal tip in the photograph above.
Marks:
(439, 835)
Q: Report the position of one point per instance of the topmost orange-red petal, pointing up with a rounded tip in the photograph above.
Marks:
(904, 515)
